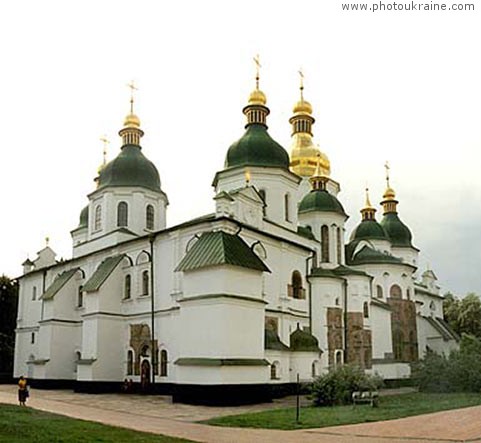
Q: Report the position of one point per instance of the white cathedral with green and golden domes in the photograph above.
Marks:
(237, 305)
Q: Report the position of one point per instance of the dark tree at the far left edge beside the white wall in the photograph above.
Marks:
(8, 317)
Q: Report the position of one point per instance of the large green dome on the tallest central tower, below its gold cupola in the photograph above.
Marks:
(256, 148)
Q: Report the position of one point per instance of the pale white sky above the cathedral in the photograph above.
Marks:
(397, 86)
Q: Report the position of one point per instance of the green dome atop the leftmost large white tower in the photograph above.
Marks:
(130, 168)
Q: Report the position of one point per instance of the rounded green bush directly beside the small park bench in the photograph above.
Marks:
(336, 387)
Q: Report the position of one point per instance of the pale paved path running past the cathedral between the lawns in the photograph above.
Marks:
(158, 415)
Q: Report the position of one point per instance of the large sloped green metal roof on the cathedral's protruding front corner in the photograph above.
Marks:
(220, 248)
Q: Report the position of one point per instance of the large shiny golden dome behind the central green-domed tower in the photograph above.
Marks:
(305, 156)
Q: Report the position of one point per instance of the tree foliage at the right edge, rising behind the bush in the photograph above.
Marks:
(463, 314)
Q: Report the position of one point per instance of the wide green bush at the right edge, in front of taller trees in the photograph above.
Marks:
(459, 372)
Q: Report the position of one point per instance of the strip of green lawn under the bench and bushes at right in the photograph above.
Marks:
(390, 407)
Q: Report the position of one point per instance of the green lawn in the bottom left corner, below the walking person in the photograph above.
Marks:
(27, 425)
